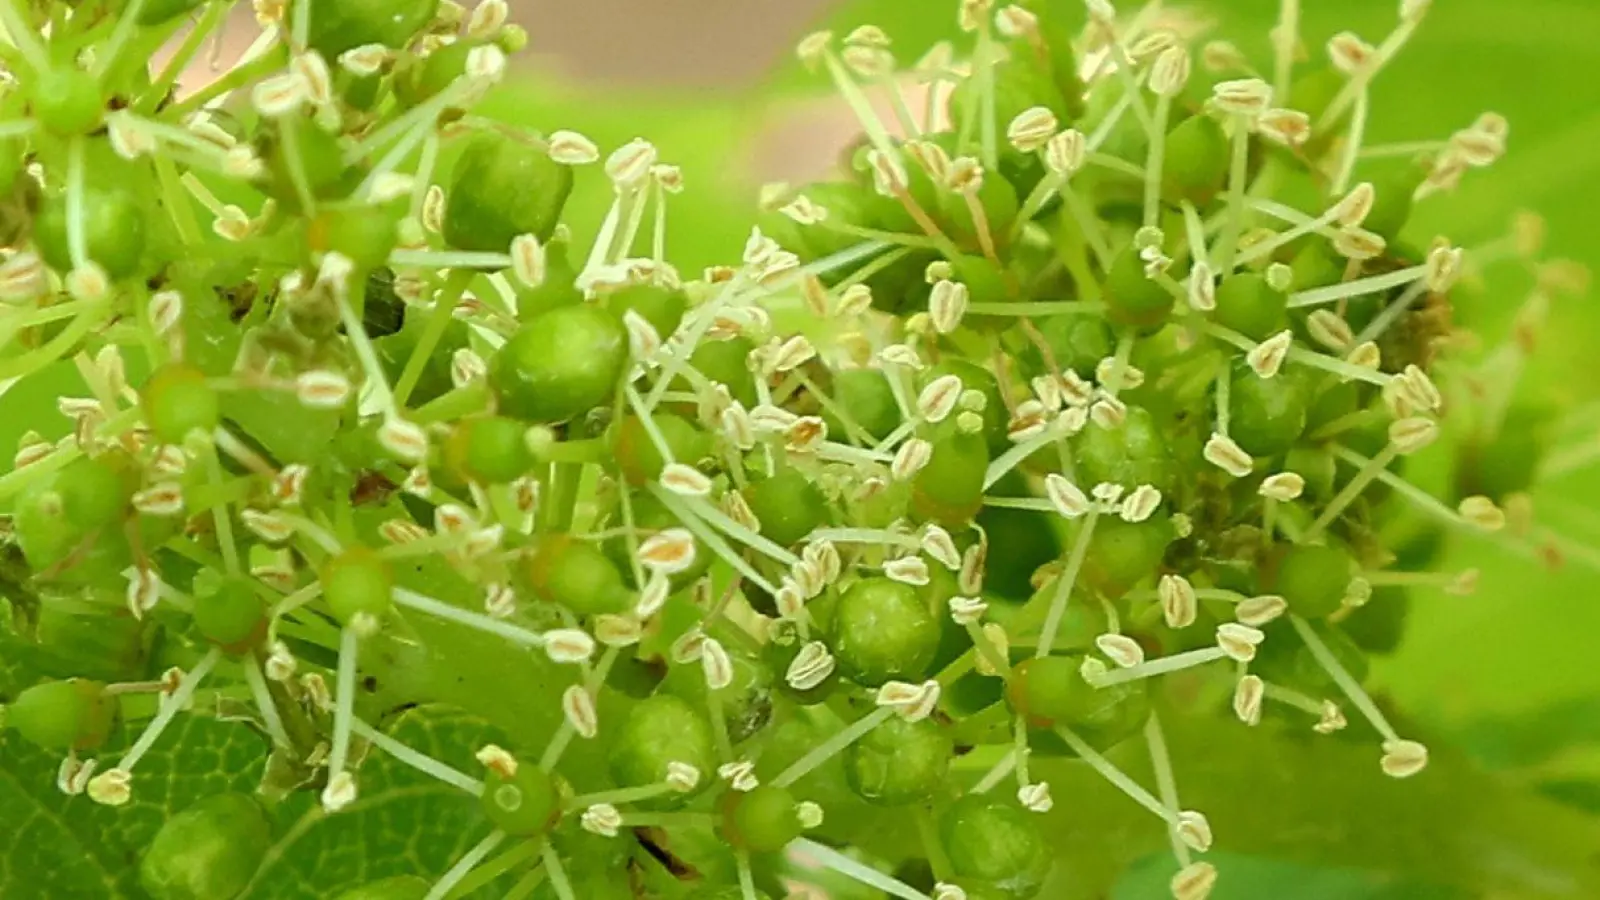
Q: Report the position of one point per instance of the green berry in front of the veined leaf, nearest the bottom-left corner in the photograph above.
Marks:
(209, 851)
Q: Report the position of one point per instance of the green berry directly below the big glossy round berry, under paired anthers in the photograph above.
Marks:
(900, 763)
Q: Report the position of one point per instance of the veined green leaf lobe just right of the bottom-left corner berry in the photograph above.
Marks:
(402, 824)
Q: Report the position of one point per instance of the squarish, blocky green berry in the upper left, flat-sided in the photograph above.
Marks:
(503, 188)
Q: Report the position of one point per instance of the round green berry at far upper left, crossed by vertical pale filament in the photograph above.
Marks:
(114, 230)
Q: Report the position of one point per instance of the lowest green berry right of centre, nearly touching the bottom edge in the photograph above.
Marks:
(996, 842)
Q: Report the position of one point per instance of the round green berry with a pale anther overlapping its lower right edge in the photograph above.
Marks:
(658, 733)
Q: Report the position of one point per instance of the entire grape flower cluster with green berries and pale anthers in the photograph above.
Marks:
(1102, 368)
